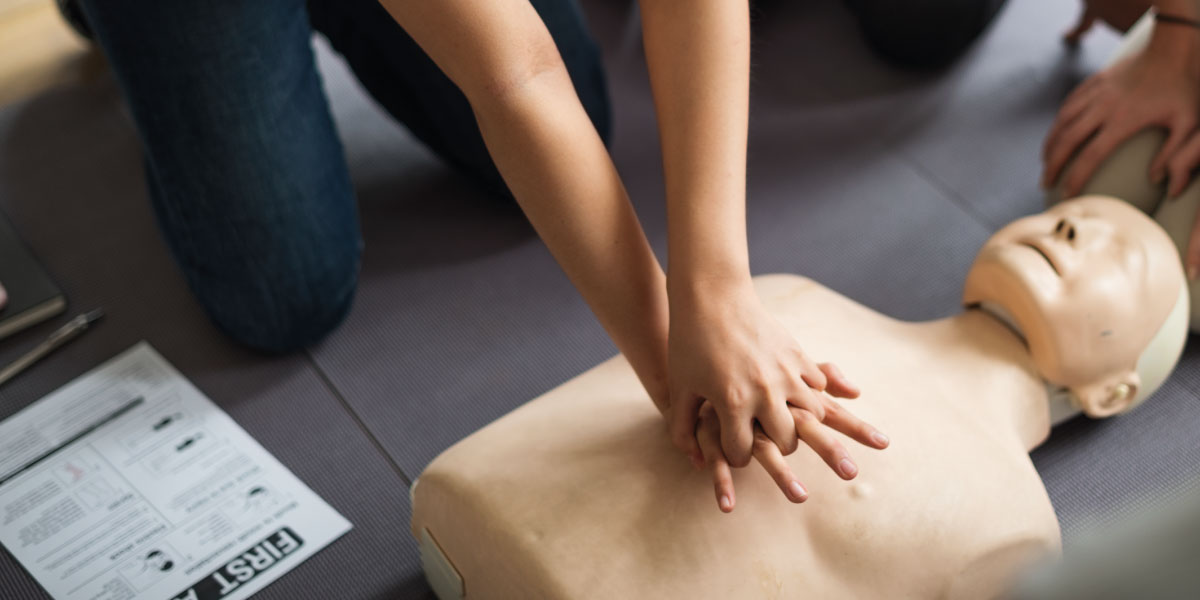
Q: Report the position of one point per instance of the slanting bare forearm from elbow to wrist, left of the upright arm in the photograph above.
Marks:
(561, 173)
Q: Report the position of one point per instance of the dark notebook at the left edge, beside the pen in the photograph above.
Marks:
(33, 296)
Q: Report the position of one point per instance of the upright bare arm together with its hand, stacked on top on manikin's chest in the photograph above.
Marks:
(724, 347)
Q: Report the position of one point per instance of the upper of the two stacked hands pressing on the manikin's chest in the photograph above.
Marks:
(725, 349)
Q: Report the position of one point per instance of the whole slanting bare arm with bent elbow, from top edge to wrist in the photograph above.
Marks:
(502, 57)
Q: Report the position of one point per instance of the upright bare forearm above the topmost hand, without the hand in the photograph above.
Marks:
(699, 59)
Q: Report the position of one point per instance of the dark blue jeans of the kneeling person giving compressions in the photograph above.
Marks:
(247, 175)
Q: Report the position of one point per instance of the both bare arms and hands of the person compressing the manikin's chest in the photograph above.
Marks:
(501, 56)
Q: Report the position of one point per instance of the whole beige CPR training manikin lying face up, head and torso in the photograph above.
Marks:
(580, 494)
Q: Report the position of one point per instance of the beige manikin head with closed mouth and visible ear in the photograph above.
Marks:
(1097, 291)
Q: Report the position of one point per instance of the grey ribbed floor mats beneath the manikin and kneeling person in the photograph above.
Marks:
(879, 184)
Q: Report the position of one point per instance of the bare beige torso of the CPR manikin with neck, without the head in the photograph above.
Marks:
(580, 495)
